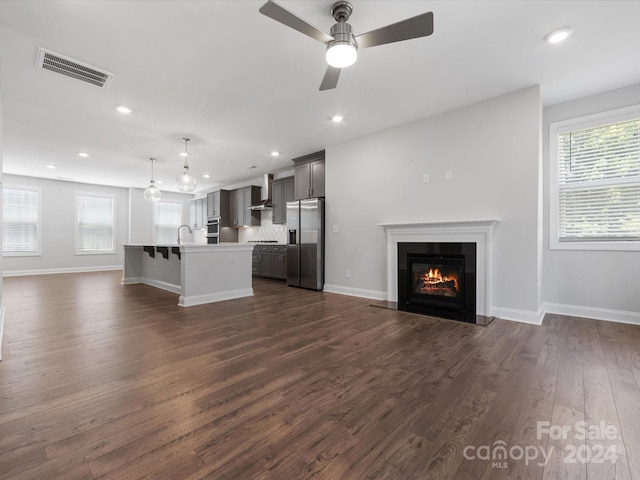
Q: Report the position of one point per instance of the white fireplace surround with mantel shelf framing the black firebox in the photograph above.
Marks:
(479, 232)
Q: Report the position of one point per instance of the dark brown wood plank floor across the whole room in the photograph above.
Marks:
(106, 381)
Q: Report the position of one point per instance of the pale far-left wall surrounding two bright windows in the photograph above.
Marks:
(58, 228)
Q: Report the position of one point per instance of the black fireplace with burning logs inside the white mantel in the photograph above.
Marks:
(438, 279)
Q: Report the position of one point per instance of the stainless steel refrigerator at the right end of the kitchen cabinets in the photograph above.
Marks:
(305, 244)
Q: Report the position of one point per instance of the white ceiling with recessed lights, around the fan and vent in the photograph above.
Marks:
(239, 84)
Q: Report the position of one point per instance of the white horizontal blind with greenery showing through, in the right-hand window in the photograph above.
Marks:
(599, 183)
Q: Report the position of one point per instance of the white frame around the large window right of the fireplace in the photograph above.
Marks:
(581, 123)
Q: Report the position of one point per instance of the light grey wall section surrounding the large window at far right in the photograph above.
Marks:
(596, 284)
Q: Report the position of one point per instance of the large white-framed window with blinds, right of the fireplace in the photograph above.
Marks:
(595, 182)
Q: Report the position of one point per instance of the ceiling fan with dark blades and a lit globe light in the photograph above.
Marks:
(342, 45)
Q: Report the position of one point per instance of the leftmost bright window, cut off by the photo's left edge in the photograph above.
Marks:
(20, 221)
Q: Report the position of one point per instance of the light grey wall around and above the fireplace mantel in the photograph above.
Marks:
(493, 151)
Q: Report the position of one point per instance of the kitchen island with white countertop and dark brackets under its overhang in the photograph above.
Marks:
(198, 273)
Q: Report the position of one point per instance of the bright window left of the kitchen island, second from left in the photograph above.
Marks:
(95, 224)
